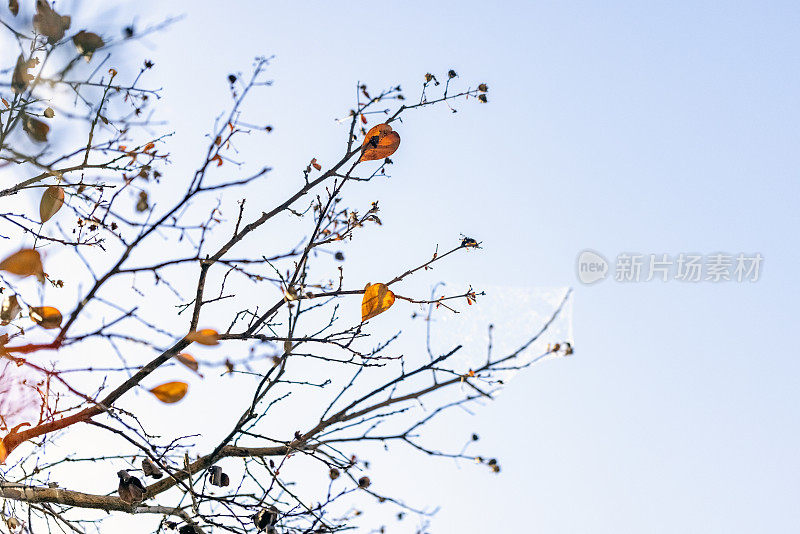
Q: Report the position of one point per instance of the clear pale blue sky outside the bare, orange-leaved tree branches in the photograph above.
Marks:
(618, 126)
